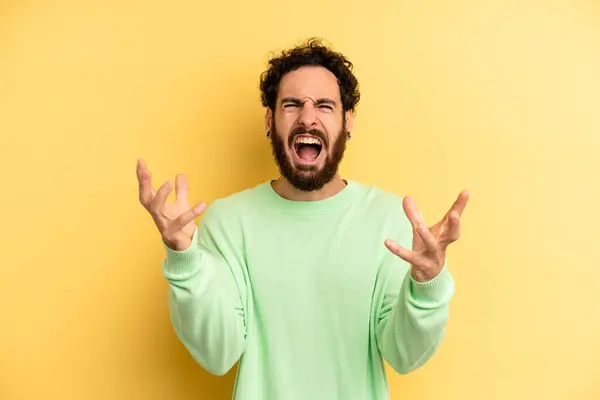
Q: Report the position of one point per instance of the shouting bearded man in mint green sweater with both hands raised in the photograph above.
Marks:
(310, 281)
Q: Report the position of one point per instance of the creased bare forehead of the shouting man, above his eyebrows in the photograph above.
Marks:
(315, 82)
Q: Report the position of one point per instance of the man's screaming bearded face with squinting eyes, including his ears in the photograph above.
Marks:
(308, 127)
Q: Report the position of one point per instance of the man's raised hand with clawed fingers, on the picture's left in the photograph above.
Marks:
(175, 221)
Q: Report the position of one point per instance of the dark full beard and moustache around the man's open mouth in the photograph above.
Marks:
(308, 178)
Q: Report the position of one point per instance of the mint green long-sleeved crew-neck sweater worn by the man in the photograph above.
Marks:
(305, 295)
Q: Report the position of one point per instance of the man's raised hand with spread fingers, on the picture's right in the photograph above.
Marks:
(428, 253)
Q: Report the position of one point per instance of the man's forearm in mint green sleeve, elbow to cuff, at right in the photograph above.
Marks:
(415, 326)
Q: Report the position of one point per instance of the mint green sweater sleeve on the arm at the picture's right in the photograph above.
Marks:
(413, 315)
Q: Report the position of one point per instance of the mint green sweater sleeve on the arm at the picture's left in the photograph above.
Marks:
(204, 302)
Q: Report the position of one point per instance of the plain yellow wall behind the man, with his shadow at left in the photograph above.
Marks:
(500, 97)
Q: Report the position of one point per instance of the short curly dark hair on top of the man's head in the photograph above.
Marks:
(311, 52)
